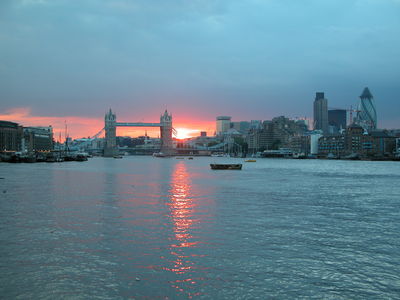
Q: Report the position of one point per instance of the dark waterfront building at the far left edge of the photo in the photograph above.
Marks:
(10, 136)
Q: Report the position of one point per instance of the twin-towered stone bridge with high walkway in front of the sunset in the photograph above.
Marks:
(111, 124)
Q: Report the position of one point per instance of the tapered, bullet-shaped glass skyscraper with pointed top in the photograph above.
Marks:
(366, 115)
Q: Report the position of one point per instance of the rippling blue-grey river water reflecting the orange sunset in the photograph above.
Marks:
(166, 228)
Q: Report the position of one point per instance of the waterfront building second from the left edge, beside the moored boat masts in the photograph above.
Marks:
(38, 138)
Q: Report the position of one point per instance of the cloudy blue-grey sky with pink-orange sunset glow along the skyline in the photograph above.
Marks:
(71, 60)
